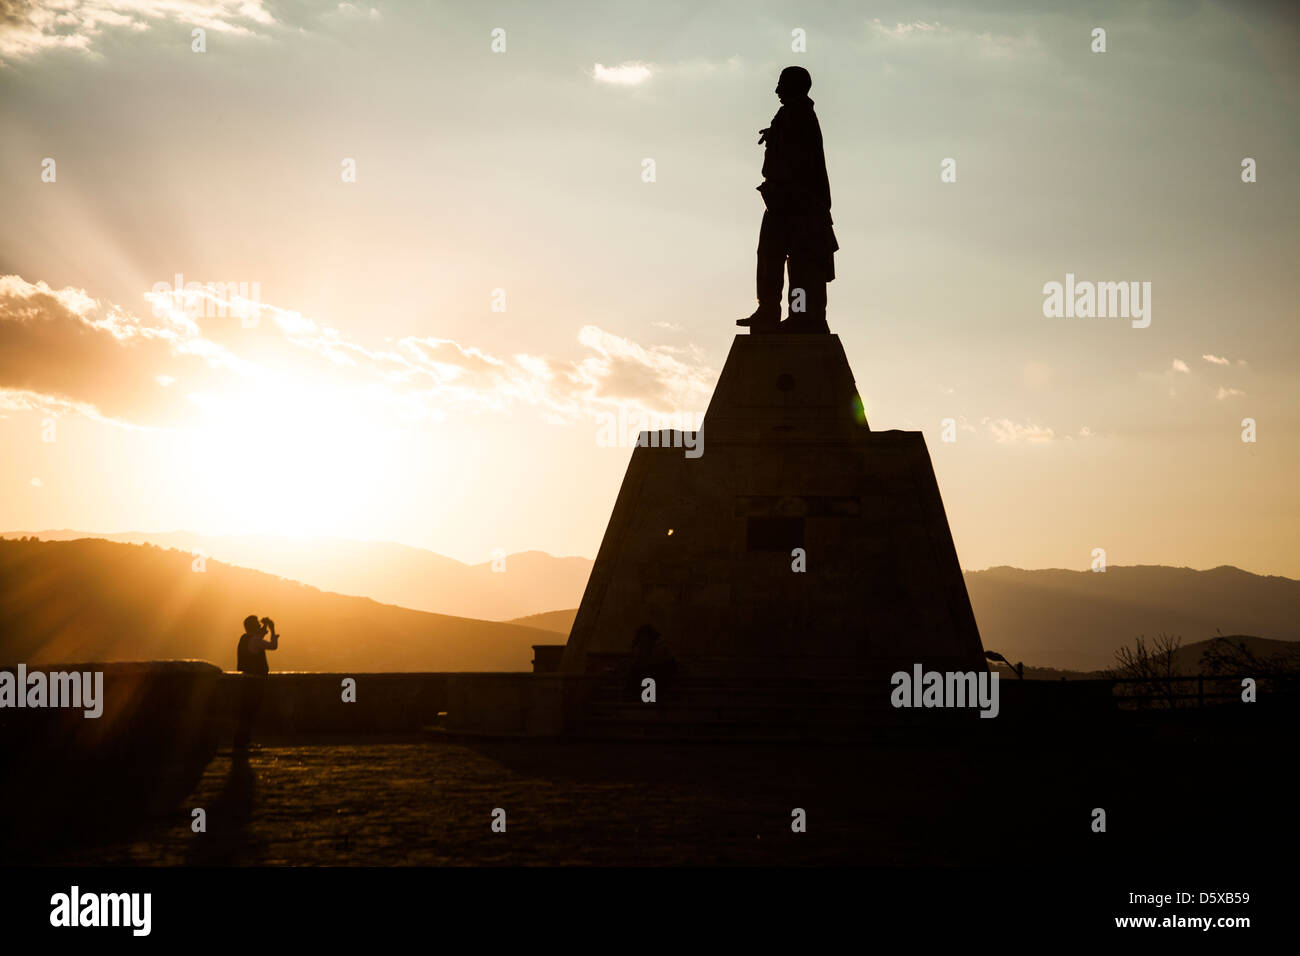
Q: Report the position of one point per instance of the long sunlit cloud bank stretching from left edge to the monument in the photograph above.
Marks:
(63, 351)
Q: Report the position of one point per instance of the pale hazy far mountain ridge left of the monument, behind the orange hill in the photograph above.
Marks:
(384, 572)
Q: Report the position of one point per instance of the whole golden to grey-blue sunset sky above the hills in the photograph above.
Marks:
(440, 343)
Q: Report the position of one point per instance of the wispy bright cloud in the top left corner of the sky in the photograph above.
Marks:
(32, 27)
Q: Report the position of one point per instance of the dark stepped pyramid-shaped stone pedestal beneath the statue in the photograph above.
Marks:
(704, 551)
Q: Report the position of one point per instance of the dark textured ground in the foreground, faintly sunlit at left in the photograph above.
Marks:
(430, 802)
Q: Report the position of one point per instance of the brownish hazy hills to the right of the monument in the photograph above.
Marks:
(1077, 620)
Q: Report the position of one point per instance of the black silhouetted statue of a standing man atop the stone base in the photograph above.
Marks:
(798, 223)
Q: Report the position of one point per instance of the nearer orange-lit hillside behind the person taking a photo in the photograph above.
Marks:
(97, 600)
